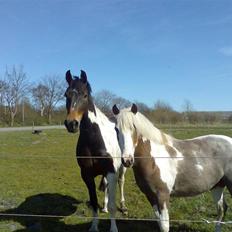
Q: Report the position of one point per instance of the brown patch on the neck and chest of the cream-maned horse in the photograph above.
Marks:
(147, 175)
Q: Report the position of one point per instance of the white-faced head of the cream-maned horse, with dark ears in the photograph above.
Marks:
(127, 134)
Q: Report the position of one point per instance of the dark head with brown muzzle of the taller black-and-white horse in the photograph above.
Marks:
(78, 95)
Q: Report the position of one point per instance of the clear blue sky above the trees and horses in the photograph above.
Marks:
(141, 50)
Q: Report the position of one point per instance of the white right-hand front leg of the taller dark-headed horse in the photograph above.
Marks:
(112, 181)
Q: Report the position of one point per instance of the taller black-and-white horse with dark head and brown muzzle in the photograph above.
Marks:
(98, 151)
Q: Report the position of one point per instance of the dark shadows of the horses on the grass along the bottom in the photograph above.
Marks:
(60, 205)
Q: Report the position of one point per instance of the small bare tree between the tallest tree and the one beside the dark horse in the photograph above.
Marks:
(40, 95)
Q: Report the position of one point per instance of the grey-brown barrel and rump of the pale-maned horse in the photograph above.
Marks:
(206, 160)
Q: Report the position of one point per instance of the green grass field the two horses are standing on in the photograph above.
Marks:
(39, 175)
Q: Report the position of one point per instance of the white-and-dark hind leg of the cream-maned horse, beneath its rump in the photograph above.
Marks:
(219, 199)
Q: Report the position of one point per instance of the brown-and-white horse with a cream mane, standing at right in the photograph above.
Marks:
(164, 166)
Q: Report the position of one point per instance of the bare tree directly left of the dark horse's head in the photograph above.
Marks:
(55, 89)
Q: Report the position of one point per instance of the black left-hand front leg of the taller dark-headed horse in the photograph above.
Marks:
(90, 183)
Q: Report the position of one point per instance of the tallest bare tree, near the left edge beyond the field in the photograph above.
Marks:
(14, 90)
